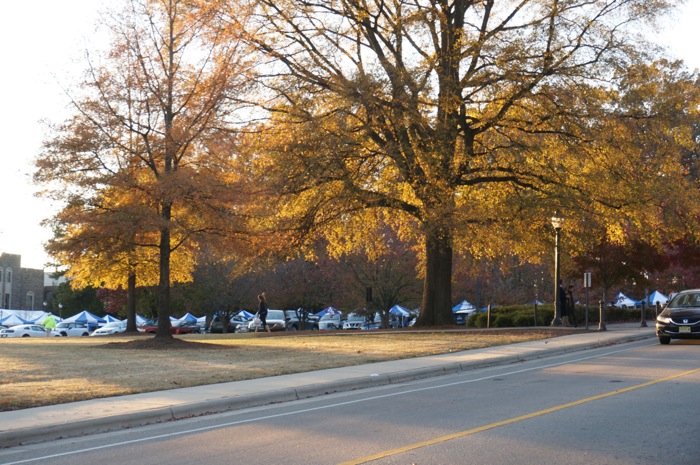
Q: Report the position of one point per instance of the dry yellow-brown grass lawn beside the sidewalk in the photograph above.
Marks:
(35, 372)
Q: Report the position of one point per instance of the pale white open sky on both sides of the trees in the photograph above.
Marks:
(43, 41)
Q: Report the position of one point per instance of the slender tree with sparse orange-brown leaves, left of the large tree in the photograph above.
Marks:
(144, 166)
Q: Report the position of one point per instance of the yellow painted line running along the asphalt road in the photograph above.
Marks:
(498, 424)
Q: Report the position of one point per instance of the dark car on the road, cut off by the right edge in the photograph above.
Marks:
(680, 319)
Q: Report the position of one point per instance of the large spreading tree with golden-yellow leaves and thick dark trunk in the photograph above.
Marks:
(470, 118)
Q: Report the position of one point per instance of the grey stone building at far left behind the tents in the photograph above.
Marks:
(20, 288)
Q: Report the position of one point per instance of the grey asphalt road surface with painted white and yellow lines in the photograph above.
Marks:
(626, 404)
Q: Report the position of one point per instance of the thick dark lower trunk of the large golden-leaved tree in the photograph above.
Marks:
(436, 309)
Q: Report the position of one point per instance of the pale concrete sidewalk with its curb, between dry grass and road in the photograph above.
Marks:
(99, 415)
